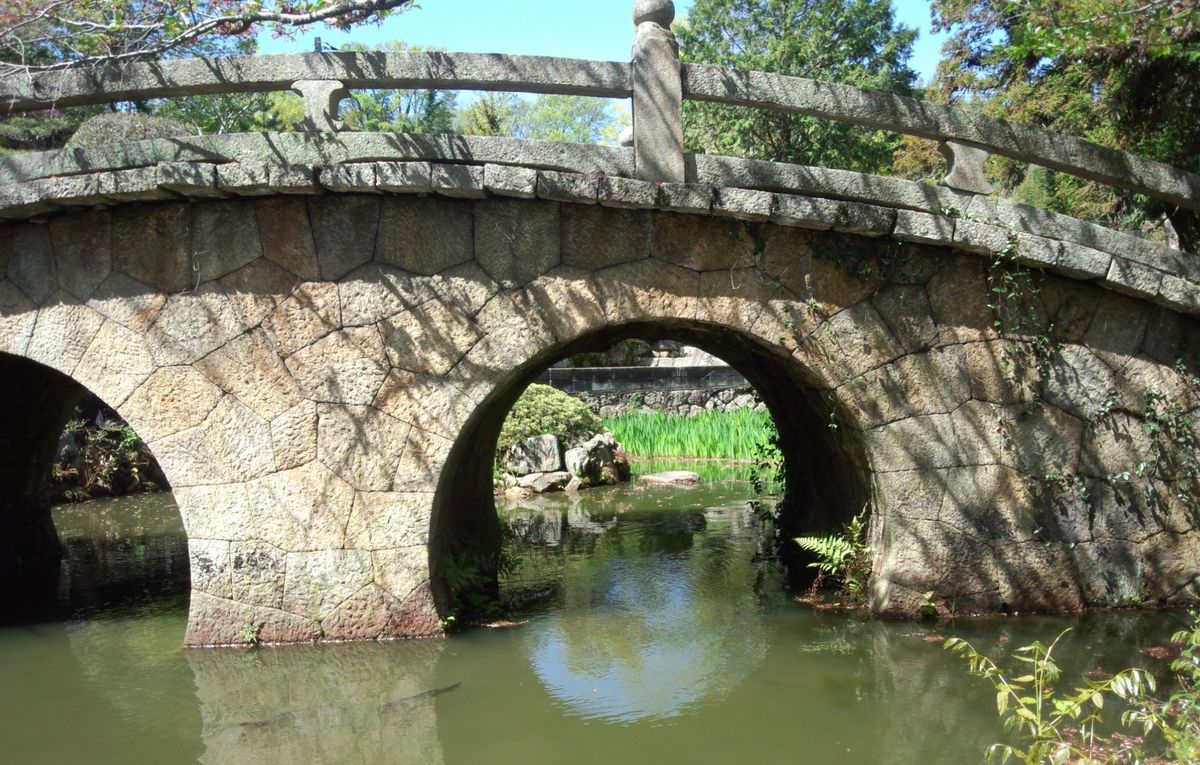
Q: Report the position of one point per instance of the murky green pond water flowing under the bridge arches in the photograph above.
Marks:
(659, 633)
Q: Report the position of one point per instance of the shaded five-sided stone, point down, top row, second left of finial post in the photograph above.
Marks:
(517, 243)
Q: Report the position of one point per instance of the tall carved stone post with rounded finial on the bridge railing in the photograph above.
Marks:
(658, 94)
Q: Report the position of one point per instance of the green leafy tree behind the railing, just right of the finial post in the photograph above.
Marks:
(849, 41)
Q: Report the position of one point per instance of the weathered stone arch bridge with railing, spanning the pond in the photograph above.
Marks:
(320, 334)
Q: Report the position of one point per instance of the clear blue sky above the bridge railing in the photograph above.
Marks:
(581, 29)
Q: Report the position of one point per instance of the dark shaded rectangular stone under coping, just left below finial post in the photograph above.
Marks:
(597, 238)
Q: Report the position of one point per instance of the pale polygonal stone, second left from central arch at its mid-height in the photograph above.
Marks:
(361, 444)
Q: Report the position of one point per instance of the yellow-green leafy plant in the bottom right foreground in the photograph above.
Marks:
(1064, 727)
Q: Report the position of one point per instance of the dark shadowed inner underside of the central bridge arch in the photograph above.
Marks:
(825, 465)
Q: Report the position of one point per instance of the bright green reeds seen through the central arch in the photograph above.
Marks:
(737, 435)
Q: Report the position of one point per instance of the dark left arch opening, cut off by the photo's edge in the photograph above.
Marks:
(61, 555)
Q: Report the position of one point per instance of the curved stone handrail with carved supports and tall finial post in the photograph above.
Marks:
(656, 81)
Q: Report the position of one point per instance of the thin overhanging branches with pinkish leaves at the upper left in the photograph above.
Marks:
(47, 35)
